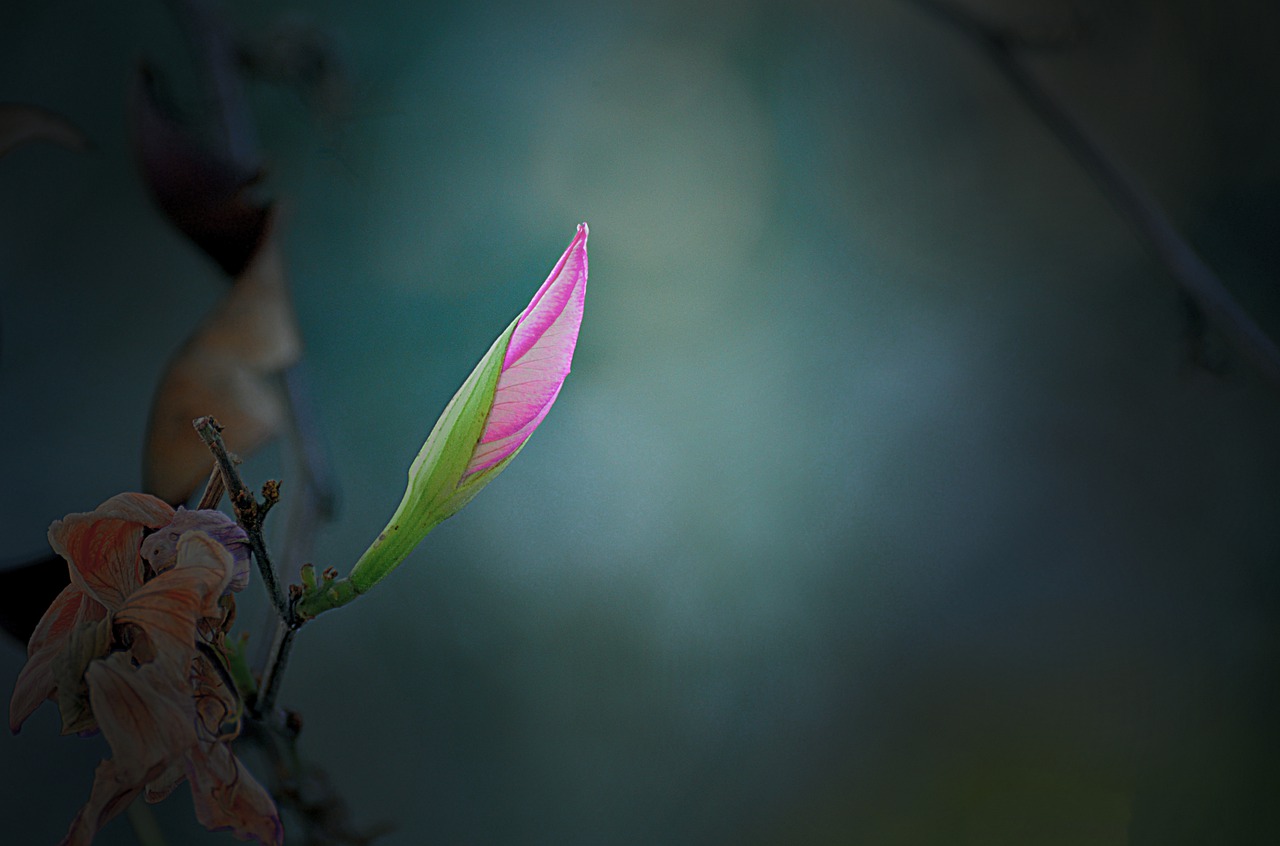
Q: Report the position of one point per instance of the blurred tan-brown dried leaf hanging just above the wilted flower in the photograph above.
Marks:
(231, 369)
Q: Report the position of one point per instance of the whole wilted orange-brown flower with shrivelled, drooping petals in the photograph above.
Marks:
(135, 648)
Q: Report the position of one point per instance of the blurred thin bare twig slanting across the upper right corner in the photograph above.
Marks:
(1153, 225)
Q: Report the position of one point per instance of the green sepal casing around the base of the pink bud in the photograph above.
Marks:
(435, 492)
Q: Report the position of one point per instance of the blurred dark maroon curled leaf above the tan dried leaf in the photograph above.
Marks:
(207, 196)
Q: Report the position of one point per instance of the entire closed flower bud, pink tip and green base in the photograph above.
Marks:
(491, 418)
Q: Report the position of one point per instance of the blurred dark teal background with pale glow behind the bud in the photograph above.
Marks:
(894, 499)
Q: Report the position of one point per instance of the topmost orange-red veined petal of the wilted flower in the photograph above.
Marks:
(102, 547)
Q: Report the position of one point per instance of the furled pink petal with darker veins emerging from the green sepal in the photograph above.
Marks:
(538, 359)
